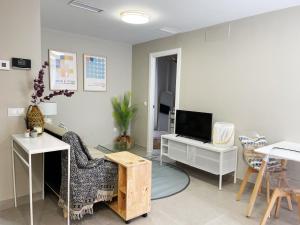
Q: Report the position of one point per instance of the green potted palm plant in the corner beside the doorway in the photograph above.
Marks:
(123, 113)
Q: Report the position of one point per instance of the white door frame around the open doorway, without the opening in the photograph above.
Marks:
(152, 75)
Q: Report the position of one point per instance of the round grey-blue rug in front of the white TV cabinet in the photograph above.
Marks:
(167, 180)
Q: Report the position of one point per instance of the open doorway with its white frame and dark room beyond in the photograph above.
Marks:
(163, 95)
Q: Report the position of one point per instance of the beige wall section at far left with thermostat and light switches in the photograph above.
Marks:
(16, 87)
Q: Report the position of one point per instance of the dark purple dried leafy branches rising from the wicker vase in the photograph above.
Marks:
(39, 88)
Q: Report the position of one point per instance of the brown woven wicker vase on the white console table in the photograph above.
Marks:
(34, 118)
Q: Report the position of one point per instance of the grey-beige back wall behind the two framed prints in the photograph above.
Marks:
(90, 113)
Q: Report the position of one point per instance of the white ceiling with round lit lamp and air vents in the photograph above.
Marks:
(181, 15)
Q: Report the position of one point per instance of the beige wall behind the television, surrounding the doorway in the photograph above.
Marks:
(251, 78)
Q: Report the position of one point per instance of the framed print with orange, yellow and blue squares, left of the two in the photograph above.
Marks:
(63, 70)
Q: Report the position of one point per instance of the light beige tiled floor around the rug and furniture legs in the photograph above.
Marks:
(200, 204)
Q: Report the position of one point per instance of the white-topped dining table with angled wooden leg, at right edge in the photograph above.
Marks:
(283, 150)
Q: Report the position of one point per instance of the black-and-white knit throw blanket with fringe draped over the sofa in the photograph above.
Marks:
(92, 180)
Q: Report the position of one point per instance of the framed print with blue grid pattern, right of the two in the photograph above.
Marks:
(94, 73)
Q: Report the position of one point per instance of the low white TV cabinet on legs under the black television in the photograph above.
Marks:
(205, 156)
